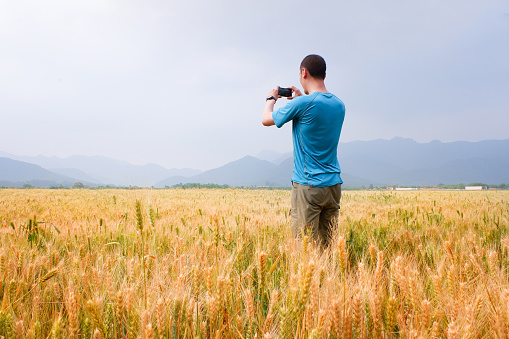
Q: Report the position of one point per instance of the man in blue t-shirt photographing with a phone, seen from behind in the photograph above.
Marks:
(317, 118)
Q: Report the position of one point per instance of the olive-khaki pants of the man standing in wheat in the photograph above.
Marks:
(315, 209)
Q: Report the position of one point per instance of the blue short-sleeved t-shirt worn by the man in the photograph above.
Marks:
(317, 122)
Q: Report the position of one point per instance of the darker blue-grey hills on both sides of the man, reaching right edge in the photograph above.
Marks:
(380, 162)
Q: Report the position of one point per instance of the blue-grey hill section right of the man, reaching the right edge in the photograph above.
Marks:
(407, 162)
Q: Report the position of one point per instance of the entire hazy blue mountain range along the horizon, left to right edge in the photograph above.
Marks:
(379, 162)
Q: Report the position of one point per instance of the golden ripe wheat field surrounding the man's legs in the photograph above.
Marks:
(214, 263)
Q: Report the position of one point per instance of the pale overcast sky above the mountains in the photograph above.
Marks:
(183, 83)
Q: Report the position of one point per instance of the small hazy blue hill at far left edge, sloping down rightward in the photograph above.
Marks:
(15, 173)
